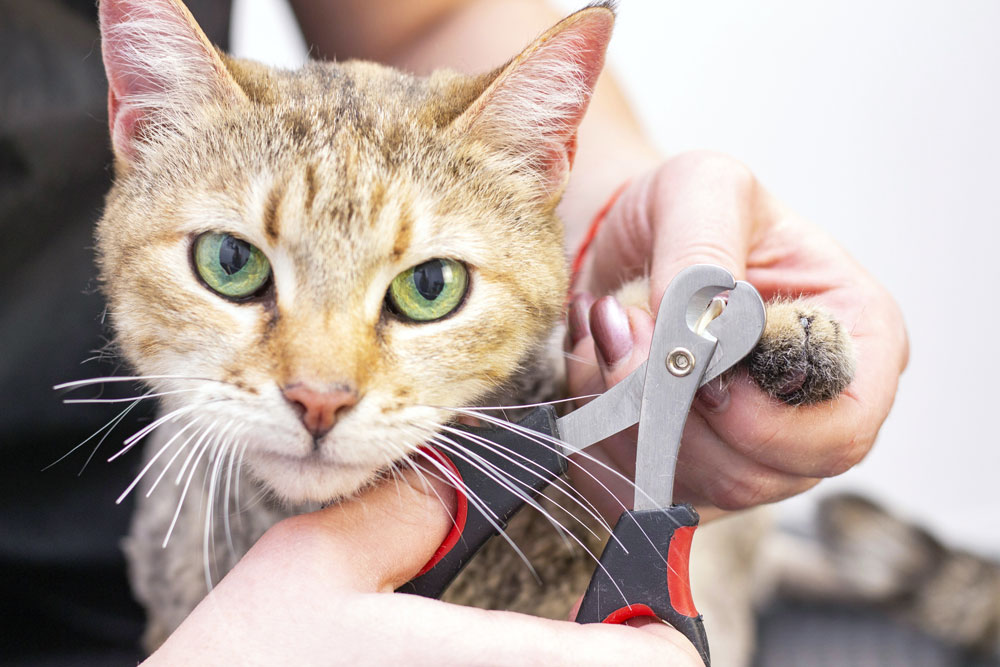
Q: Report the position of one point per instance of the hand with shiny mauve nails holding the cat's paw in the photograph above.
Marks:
(741, 447)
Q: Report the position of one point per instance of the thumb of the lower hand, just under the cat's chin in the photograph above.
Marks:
(375, 542)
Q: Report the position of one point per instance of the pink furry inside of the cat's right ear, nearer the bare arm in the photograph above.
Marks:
(532, 108)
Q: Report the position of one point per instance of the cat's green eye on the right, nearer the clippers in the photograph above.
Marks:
(429, 291)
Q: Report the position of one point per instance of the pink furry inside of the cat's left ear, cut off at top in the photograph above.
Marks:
(161, 67)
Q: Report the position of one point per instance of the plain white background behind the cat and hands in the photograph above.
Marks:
(878, 120)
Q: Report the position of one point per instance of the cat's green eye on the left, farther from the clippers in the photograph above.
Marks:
(230, 266)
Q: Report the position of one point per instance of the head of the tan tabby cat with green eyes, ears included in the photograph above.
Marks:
(332, 257)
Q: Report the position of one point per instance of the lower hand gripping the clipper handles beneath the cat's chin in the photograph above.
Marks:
(317, 589)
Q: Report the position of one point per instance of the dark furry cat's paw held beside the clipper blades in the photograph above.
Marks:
(805, 356)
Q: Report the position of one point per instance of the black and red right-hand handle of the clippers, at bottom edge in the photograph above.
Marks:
(644, 572)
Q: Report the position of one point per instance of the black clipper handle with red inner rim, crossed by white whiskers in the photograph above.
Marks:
(526, 462)
